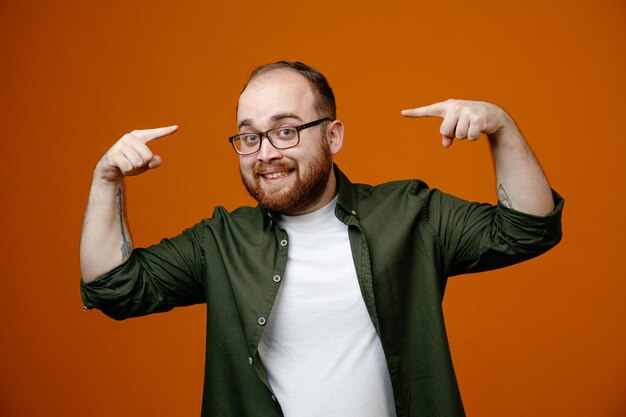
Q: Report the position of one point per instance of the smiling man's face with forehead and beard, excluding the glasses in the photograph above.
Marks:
(295, 180)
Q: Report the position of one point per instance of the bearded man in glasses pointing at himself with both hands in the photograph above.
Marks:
(325, 299)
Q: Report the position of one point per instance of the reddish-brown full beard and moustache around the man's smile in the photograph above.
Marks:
(305, 192)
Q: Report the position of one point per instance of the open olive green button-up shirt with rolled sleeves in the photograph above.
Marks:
(406, 240)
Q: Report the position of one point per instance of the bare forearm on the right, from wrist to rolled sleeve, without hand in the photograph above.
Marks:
(521, 183)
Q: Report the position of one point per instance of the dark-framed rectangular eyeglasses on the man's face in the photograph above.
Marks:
(281, 137)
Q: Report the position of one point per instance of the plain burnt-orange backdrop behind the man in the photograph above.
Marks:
(544, 338)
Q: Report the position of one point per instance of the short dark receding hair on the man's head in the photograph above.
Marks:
(325, 98)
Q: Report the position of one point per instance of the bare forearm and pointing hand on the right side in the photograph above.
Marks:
(522, 184)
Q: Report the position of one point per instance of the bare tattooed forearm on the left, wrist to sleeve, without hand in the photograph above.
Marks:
(105, 240)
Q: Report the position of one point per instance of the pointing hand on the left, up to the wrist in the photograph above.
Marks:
(130, 155)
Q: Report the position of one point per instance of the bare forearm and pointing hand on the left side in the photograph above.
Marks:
(105, 241)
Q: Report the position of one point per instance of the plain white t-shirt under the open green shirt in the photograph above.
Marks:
(319, 346)
